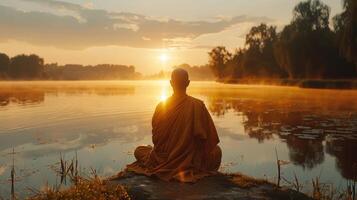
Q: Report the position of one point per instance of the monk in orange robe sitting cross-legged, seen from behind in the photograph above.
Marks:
(184, 137)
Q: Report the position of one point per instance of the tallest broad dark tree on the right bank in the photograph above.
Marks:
(307, 48)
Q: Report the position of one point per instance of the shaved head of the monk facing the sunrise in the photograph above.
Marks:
(179, 80)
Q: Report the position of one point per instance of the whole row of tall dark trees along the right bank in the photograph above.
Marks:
(307, 48)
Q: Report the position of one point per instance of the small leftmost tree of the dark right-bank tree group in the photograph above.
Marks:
(219, 57)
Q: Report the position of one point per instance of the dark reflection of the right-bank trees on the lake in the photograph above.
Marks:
(305, 122)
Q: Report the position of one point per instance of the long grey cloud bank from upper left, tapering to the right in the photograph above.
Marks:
(83, 27)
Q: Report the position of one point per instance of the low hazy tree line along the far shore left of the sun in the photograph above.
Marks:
(32, 67)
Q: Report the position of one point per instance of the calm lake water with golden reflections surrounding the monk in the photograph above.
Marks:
(315, 130)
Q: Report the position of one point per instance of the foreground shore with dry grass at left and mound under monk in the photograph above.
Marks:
(128, 185)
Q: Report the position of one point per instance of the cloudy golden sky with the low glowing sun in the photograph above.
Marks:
(152, 35)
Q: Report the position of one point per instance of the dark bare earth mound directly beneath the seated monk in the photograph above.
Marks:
(232, 186)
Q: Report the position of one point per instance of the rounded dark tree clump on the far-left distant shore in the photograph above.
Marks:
(26, 67)
